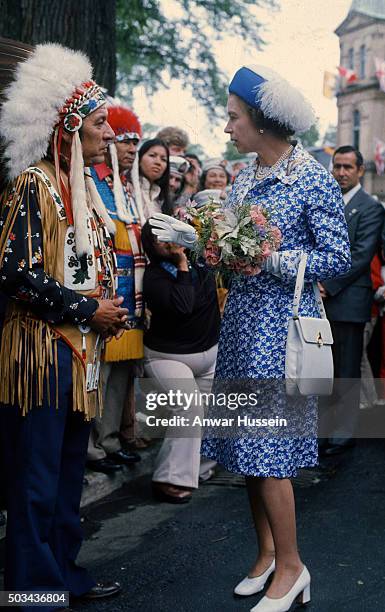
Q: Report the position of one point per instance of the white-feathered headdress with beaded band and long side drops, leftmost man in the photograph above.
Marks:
(50, 91)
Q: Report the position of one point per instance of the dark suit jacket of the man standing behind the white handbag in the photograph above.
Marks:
(351, 295)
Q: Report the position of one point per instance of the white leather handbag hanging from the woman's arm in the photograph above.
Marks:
(309, 360)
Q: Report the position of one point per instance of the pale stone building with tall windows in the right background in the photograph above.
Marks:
(361, 105)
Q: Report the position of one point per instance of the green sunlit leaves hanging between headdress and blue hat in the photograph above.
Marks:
(154, 44)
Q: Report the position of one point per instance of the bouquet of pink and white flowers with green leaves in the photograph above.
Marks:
(237, 240)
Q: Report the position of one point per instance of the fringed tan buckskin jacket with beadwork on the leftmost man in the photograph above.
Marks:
(52, 293)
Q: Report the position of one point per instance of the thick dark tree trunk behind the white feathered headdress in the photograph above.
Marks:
(85, 25)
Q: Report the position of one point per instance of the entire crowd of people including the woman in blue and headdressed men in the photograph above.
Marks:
(98, 289)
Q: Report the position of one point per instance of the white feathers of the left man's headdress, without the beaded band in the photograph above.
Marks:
(33, 100)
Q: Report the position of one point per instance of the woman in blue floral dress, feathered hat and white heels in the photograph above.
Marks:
(305, 202)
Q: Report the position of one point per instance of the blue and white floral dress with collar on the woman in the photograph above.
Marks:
(305, 202)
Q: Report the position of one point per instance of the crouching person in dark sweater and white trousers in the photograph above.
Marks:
(181, 343)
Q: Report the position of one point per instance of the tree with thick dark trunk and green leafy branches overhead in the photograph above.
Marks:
(155, 40)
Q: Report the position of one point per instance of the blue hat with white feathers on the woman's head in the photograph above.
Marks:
(265, 90)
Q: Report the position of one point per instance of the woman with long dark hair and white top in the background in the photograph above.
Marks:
(152, 186)
